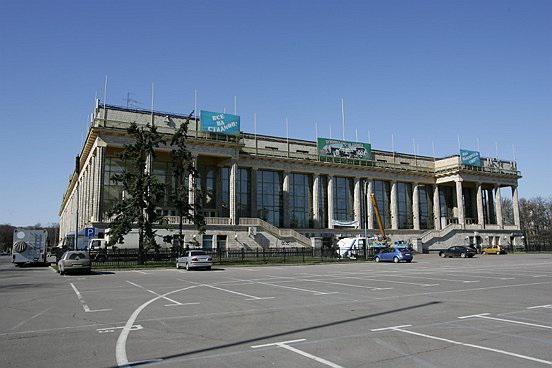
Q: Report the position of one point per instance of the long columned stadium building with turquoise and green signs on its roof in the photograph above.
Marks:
(265, 191)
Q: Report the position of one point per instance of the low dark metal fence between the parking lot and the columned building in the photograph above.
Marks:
(126, 258)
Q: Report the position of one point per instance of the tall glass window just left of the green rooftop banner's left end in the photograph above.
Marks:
(300, 200)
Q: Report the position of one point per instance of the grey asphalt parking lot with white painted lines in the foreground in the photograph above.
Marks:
(489, 311)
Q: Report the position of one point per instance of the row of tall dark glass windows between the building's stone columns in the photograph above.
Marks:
(214, 183)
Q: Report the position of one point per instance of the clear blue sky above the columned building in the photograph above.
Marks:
(423, 70)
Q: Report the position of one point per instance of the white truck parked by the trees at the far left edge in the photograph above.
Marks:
(29, 247)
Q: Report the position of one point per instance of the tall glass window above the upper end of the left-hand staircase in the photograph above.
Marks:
(269, 196)
